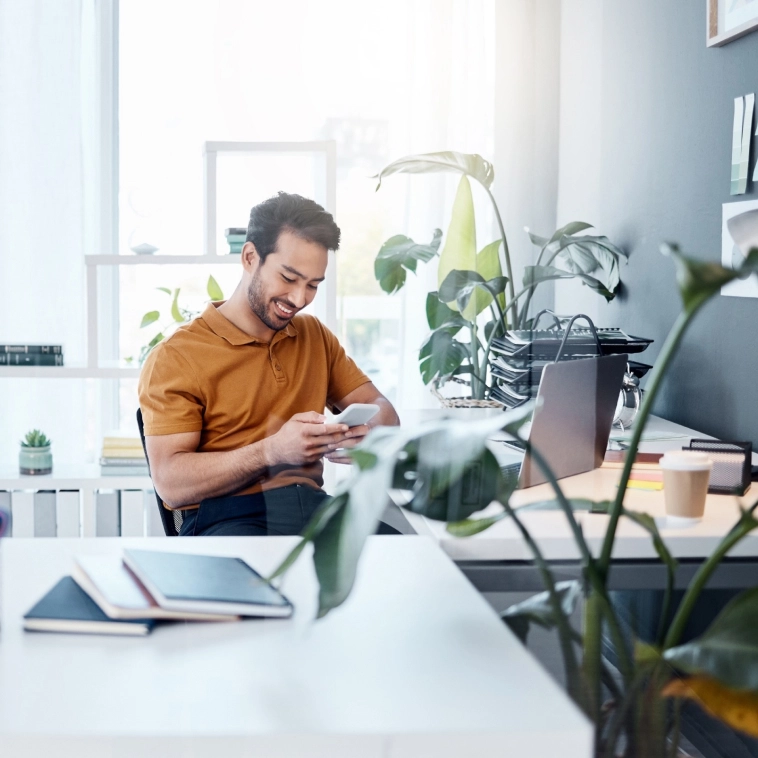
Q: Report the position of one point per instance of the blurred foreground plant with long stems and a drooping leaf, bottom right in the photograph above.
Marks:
(451, 476)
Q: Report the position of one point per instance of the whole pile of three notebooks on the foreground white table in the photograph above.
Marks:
(129, 595)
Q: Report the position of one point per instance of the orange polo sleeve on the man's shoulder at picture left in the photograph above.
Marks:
(169, 393)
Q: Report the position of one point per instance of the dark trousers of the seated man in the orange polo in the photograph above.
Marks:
(283, 511)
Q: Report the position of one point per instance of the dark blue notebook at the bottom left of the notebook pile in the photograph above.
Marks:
(68, 608)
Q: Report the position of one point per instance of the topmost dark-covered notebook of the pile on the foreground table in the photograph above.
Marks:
(206, 584)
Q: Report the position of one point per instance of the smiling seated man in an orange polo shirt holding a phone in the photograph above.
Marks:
(233, 402)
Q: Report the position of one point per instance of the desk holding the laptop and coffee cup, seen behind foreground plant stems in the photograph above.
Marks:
(503, 544)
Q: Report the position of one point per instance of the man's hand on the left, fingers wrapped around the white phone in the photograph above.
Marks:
(304, 439)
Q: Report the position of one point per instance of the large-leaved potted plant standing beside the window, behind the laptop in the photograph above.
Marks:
(476, 300)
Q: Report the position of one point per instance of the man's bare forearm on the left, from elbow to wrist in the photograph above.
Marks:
(187, 478)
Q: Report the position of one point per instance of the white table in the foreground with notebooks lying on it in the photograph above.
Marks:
(415, 664)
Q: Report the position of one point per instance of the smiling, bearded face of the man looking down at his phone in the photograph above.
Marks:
(287, 281)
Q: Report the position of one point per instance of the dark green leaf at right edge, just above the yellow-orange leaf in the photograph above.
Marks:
(728, 651)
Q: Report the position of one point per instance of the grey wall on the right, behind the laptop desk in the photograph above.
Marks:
(645, 141)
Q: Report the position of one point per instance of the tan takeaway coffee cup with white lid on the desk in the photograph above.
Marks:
(685, 484)
